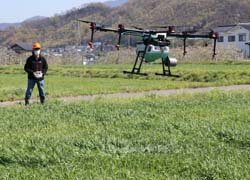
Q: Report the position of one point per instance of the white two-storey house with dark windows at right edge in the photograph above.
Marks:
(237, 35)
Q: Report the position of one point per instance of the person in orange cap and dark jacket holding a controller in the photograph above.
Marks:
(36, 66)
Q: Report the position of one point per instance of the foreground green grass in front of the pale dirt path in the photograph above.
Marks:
(202, 136)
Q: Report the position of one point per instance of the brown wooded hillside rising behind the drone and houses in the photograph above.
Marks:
(63, 29)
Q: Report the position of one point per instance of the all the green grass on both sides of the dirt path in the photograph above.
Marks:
(202, 136)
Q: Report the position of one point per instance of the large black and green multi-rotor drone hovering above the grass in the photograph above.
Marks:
(154, 45)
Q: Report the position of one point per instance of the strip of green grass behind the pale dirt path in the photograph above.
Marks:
(99, 79)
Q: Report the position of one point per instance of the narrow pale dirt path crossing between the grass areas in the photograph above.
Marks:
(139, 94)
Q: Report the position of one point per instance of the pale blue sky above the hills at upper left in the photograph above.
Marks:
(19, 10)
